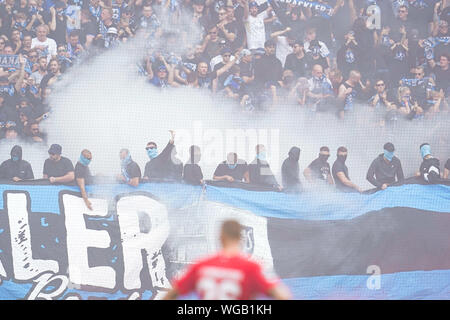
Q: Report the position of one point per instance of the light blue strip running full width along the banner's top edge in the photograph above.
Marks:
(307, 206)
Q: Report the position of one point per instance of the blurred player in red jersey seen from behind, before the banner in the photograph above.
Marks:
(229, 274)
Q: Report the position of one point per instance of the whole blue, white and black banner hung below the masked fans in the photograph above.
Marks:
(392, 244)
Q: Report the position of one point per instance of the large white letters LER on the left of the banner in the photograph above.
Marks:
(139, 226)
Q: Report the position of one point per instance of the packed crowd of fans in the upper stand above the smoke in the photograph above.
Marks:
(388, 56)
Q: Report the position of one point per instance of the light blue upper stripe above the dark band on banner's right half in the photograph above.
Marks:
(334, 206)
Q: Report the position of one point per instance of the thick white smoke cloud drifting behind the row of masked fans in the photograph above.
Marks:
(104, 105)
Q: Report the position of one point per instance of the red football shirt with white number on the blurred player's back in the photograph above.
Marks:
(222, 277)
